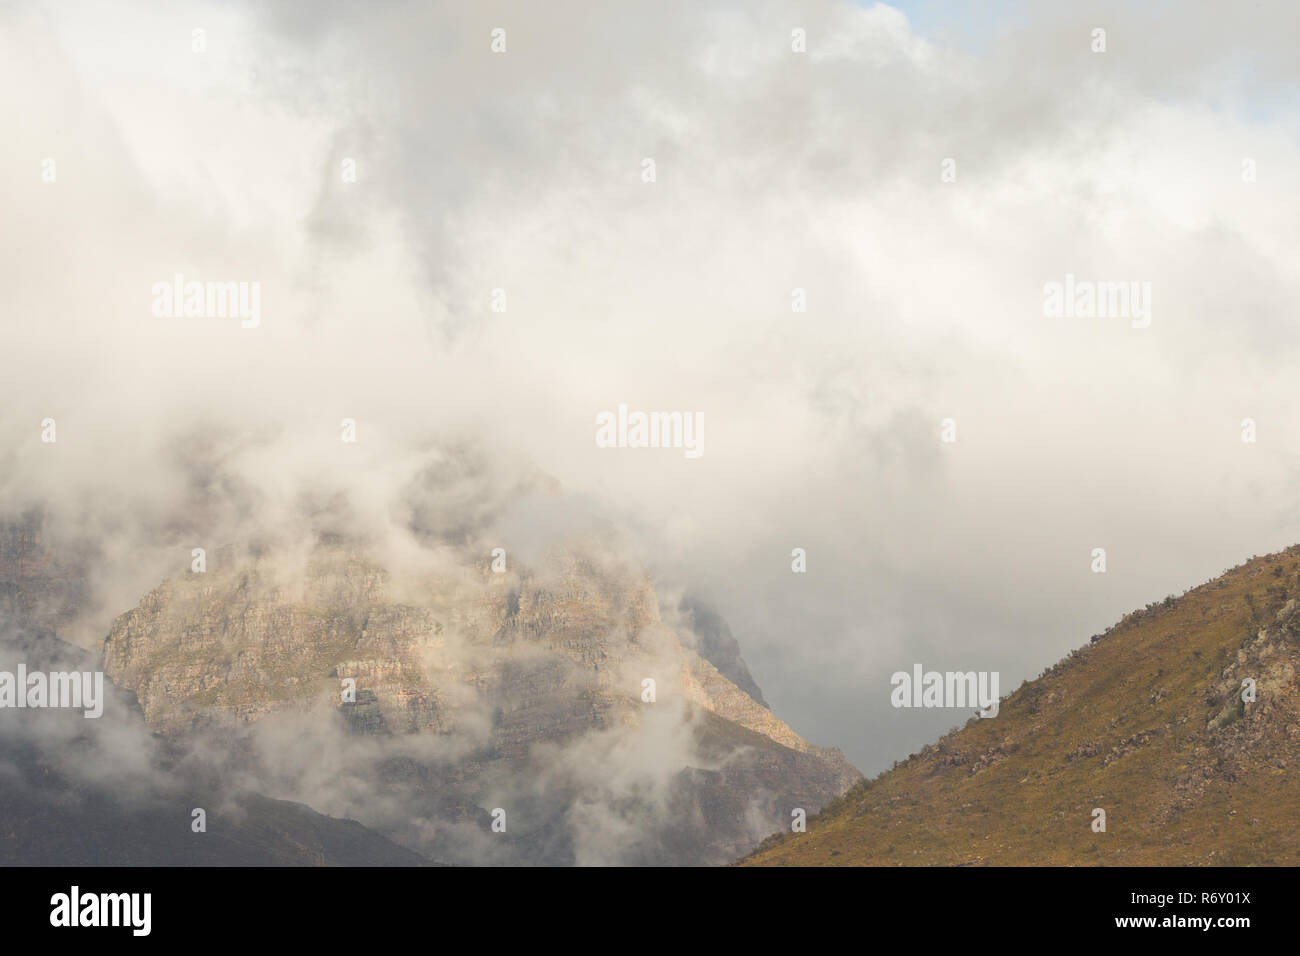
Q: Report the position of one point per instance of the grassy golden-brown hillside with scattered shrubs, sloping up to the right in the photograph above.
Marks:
(1146, 723)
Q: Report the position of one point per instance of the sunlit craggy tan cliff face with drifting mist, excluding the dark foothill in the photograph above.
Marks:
(523, 691)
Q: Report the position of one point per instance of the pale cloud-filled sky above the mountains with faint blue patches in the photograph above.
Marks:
(775, 171)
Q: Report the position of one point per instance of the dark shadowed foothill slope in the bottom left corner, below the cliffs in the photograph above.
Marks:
(103, 793)
